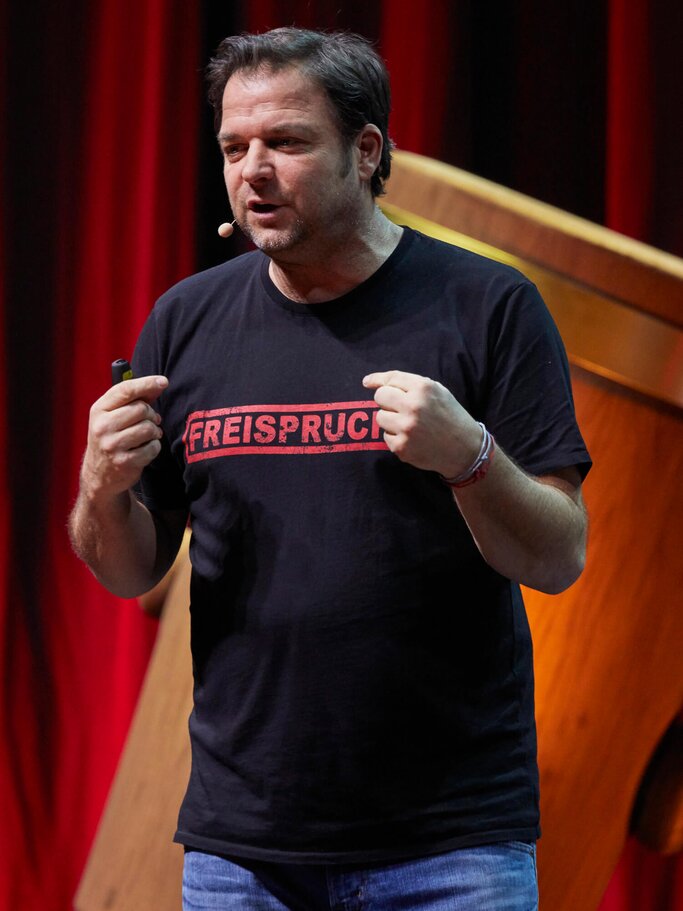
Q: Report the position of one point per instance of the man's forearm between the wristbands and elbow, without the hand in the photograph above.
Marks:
(528, 529)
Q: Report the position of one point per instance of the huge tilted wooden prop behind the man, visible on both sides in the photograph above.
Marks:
(608, 652)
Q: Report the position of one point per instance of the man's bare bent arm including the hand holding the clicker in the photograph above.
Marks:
(127, 548)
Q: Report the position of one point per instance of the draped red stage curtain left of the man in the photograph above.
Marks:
(100, 211)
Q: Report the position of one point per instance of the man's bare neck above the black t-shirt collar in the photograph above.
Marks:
(341, 268)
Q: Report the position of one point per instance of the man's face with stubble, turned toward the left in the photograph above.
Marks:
(293, 186)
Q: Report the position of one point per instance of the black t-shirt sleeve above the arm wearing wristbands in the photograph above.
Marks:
(529, 406)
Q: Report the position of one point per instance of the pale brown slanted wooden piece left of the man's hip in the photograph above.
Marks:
(134, 864)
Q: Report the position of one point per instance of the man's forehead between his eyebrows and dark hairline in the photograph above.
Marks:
(267, 96)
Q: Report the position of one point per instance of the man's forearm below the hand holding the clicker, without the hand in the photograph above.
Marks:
(117, 537)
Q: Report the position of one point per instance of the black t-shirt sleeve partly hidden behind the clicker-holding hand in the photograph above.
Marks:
(161, 485)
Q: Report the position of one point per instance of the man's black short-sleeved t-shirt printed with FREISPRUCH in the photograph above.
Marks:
(363, 680)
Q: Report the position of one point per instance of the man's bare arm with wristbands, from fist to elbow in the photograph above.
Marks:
(531, 530)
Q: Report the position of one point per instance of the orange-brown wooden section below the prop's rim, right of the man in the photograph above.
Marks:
(608, 651)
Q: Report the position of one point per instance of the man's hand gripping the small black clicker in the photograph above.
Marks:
(123, 436)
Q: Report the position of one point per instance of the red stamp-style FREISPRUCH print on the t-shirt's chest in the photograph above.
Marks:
(282, 429)
